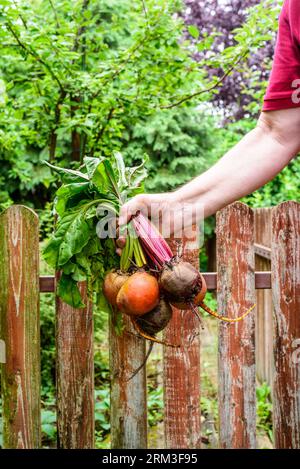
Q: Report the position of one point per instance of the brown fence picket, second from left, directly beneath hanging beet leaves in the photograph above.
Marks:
(75, 374)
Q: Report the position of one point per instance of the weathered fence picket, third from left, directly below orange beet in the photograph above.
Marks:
(128, 397)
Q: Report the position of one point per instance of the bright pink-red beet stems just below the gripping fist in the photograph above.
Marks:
(153, 243)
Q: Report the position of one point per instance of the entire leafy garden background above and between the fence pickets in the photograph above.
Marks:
(181, 82)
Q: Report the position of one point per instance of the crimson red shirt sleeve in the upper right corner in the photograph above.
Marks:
(284, 86)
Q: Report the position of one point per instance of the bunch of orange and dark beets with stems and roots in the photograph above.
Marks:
(146, 290)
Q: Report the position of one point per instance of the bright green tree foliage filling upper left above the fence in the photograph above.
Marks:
(89, 78)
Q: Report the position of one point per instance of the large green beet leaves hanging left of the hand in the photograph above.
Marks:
(77, 248)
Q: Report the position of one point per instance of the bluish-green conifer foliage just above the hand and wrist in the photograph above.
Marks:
(180, 145)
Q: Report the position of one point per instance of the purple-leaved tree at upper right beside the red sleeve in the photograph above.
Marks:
(227, 24)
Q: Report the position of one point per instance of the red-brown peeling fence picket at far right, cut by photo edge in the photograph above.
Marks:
(286, 299)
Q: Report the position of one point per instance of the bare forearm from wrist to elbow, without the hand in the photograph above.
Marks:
(254, 161)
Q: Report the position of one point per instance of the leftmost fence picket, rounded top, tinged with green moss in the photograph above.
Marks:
(19, 312)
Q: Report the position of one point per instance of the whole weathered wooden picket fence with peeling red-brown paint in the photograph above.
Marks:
(235, 282)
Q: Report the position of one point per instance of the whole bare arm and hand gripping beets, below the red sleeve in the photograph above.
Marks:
(254, 161)
